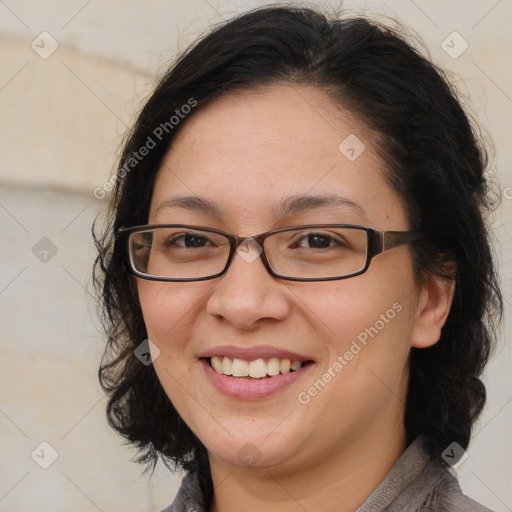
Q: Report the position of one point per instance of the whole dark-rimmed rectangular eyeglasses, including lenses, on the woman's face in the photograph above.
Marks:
(314, 252)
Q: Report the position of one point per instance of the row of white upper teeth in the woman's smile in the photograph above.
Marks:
(257, 369)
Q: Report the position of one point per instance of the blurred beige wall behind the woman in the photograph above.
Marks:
(72, 76)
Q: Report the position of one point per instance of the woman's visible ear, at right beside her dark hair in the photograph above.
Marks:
(433, 306)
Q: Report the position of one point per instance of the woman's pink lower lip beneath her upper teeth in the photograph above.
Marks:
(252, 389)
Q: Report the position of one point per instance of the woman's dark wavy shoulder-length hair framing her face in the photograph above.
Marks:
(434, 158)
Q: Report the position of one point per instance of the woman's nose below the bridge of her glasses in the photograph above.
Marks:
(247, 294)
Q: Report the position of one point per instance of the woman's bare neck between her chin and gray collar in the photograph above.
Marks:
(338, 481)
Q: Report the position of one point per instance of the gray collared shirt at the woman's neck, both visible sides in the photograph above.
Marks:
(414, 484)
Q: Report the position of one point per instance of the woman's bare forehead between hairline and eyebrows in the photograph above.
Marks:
(250, 151)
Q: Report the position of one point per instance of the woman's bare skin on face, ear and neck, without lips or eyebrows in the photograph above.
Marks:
(247, 151)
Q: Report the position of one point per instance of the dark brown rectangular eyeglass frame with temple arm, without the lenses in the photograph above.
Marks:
(377, 243)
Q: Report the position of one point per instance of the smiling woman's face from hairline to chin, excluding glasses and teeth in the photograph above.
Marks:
(248, 153)
